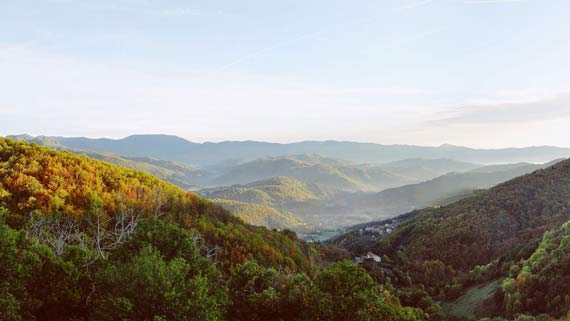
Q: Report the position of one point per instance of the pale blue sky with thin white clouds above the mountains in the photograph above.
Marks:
(479, 73)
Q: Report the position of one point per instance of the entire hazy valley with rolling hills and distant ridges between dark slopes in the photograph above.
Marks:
(311, 193)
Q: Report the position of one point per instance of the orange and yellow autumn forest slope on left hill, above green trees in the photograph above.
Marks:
(38, 181)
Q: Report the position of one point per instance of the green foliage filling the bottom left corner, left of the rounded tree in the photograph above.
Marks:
(35, 283)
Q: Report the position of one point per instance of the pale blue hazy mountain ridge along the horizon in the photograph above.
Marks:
(173, 148)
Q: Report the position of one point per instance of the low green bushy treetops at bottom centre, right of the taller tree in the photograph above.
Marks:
(342, 291)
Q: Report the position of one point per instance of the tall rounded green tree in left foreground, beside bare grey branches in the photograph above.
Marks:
(158, 273)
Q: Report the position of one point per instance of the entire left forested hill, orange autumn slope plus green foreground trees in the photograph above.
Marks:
(82, 239)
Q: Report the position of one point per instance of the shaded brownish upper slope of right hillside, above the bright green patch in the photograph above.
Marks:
(491, 223)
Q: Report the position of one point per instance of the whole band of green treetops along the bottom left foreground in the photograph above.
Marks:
(159, 274)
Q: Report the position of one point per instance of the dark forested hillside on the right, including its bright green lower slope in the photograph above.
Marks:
(459, 254)
